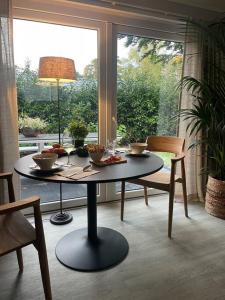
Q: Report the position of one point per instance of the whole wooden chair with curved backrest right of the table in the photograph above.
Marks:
(160, 180)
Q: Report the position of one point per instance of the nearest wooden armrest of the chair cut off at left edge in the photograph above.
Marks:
(18, 205)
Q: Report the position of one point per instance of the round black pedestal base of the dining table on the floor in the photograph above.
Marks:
(78, 252)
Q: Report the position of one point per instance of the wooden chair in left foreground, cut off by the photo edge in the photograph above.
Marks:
(16, 232)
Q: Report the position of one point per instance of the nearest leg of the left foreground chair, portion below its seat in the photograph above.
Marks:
(42, 254)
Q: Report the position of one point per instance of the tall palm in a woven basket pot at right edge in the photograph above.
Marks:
(208, 113)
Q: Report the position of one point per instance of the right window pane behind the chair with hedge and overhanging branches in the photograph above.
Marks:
(148, 71)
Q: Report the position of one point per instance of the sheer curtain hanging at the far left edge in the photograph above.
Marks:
(9, 150)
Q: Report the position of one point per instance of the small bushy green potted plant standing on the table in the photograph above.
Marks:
(78, 131)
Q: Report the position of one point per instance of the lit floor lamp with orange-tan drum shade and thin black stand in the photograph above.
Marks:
(57, 71)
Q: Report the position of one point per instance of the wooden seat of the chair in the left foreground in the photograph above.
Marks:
(15, 232)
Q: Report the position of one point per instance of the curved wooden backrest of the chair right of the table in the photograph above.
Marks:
(165, 144)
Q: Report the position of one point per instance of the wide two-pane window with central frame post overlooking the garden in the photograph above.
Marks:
(147, 73)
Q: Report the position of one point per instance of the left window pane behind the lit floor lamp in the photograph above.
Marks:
(38, 102)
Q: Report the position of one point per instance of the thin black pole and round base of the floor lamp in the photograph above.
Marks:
(61, 217)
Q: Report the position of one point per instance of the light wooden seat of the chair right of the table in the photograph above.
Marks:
(155, 179)
